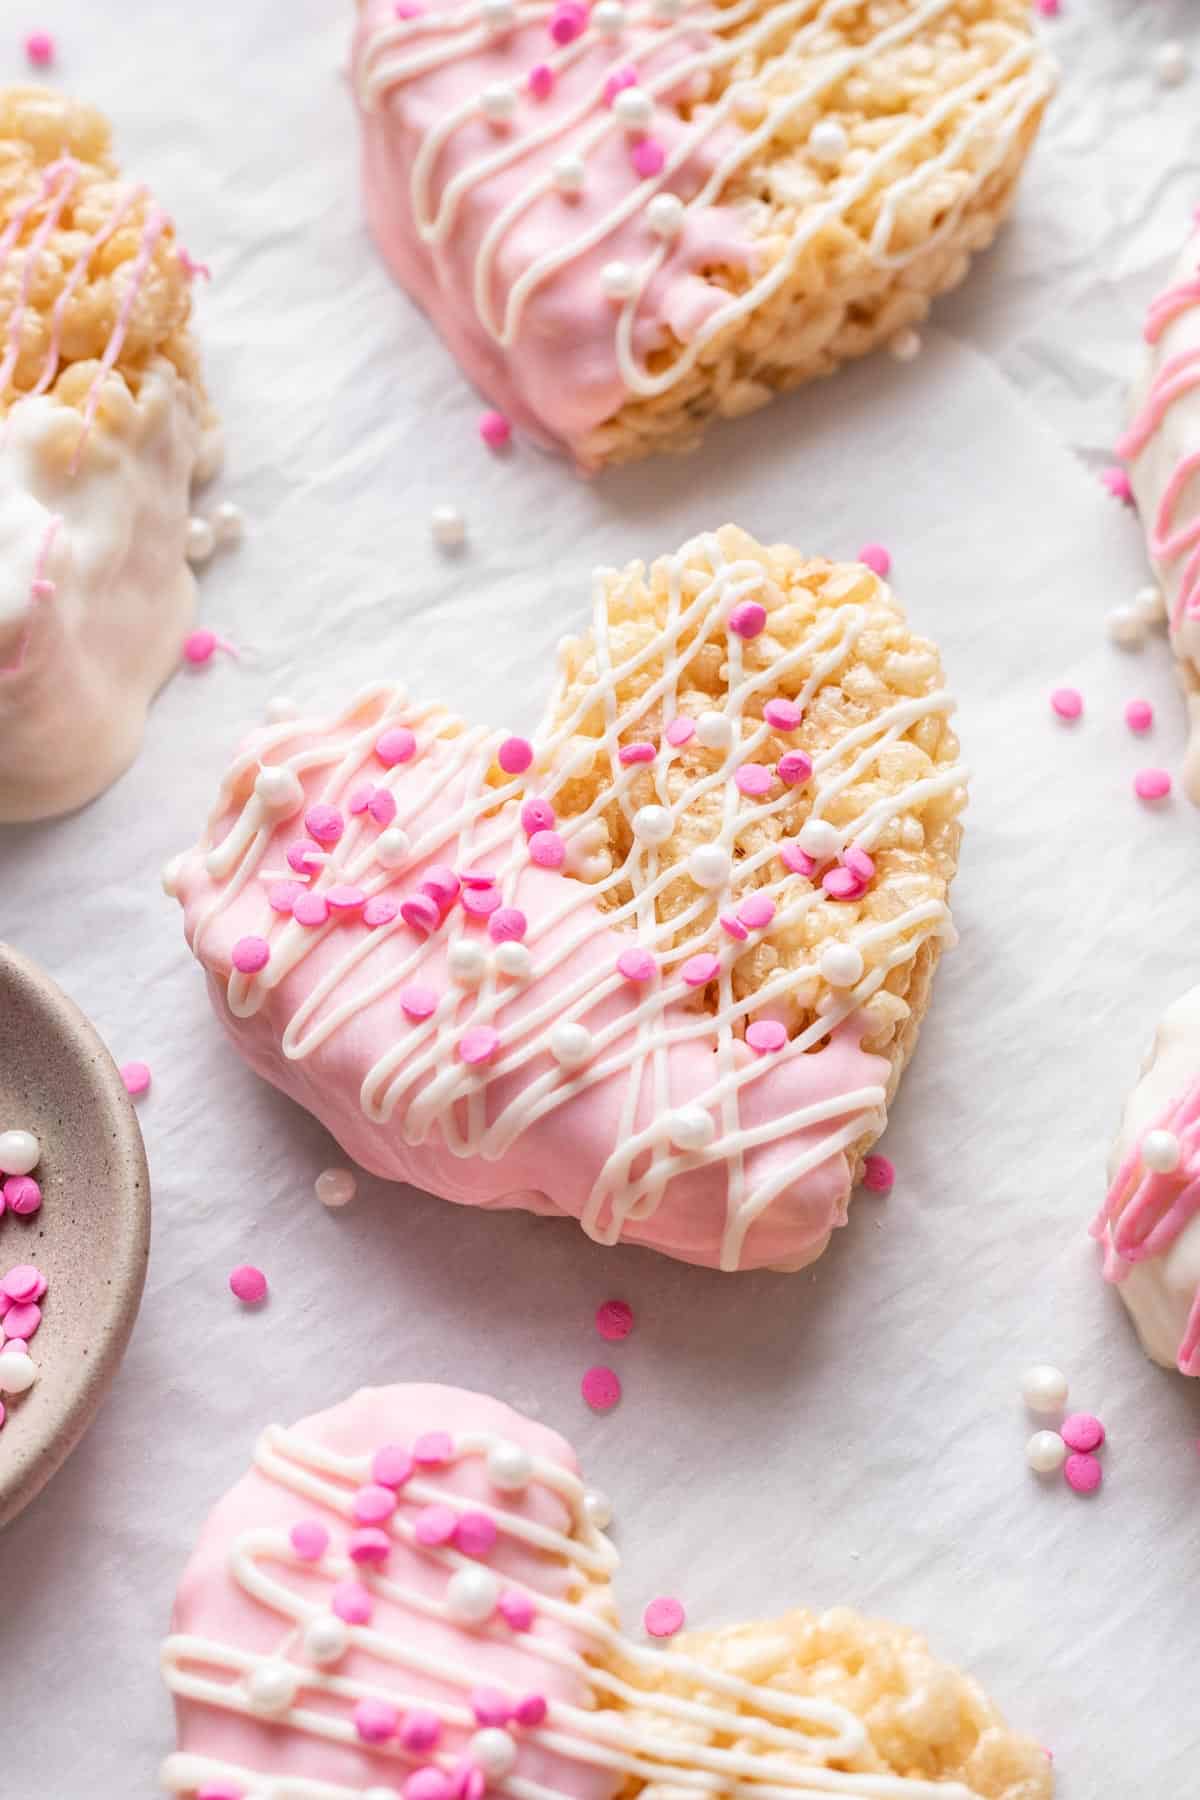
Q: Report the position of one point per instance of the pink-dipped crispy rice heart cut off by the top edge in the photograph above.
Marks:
(634, 215)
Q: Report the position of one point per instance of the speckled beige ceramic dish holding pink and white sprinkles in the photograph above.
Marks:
(93, 1234)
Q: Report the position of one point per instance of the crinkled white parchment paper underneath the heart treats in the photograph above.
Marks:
(850, 1435)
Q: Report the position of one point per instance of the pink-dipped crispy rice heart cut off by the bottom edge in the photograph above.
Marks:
(411, 1594)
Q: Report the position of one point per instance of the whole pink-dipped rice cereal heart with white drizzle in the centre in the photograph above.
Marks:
(659, 969)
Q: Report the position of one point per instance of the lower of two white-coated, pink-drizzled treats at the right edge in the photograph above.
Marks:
(1151, 1221)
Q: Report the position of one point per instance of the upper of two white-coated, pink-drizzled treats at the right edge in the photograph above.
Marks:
(1163, 451)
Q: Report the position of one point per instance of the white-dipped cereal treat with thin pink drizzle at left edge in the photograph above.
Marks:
(103, 427)
